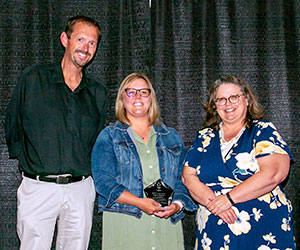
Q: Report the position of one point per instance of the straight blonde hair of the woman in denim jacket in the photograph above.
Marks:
(154, 114)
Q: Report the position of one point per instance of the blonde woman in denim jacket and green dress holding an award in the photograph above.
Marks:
(127, 157)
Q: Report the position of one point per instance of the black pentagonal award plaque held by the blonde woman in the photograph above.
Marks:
(160, 192)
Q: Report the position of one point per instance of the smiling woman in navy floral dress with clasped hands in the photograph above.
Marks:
(234, 170)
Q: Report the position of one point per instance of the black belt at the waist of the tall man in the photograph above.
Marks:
(58, 179)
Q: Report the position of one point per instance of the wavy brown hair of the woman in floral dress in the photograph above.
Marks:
(254, 109)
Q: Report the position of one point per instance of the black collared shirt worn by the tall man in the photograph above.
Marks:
(51, 129)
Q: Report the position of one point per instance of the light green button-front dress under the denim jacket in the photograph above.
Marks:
(125, 232)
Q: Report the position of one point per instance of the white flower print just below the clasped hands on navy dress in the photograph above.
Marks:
(241, 225)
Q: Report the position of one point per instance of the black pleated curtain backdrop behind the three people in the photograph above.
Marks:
(183, 46)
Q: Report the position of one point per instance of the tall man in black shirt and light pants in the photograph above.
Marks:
(52, 122)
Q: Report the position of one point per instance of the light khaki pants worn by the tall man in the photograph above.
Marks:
(42, 204)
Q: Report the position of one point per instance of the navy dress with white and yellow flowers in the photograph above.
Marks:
(264, 223)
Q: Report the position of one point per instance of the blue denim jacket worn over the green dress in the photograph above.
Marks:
(116, 167)
